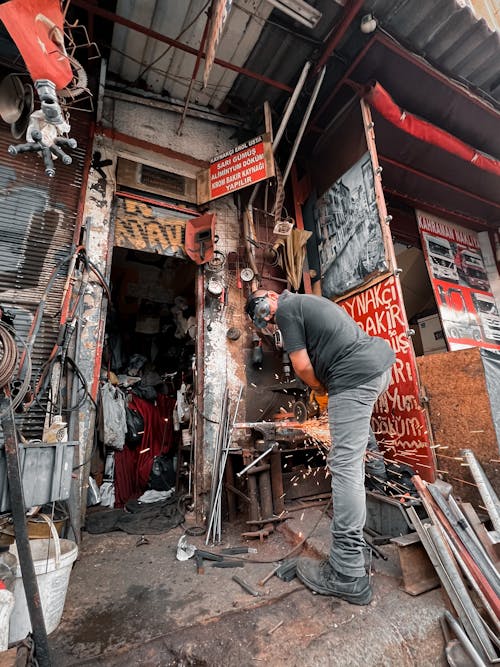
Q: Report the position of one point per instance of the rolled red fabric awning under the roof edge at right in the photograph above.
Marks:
(380, 99)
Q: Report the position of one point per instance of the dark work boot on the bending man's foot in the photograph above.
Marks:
(320, 577)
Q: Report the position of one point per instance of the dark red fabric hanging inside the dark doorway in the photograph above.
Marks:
(133, 466)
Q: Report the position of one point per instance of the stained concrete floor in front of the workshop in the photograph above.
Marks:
(138, 605)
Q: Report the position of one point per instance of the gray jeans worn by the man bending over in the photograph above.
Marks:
(349, 415)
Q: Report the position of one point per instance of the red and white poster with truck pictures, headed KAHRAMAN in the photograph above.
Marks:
(467, 307)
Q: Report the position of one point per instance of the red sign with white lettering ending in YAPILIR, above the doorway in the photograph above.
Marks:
(236, 169)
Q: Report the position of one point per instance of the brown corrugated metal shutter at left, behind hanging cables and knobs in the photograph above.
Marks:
(37, 222)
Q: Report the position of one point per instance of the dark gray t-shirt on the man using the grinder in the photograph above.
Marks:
(342, 354)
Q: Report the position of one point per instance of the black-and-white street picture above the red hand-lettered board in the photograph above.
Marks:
(350, 242)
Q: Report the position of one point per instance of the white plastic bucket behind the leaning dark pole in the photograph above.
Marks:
(52, 559)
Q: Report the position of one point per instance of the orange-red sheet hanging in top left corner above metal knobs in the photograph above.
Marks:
(29, 23)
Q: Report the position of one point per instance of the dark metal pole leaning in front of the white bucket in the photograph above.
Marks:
(30, 583)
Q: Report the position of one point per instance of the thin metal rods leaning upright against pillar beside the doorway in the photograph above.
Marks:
(226, 427)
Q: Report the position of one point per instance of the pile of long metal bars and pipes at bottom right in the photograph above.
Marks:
(457, 551)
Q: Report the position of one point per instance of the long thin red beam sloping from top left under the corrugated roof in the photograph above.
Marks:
(116, 18)
